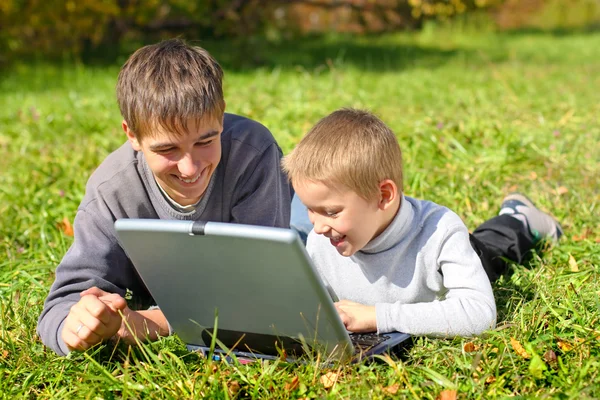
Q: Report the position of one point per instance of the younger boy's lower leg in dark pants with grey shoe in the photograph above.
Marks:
(512, 235)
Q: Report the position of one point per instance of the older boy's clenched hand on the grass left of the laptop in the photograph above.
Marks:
(93, 319)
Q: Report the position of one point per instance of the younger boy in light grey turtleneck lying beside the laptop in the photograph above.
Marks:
(398, 263)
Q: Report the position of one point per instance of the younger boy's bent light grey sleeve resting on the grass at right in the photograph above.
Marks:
(467, 308)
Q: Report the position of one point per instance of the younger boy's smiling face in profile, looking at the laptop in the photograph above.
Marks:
(348, 220)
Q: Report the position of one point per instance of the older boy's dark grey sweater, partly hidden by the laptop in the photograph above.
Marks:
(247, 187)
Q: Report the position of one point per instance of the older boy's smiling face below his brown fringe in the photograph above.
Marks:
(183, 165)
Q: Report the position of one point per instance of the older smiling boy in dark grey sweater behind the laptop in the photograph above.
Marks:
(184, 159)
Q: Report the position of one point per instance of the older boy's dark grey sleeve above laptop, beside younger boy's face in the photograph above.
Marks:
(265, 197)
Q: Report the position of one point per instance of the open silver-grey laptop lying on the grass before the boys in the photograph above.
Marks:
(252, 289)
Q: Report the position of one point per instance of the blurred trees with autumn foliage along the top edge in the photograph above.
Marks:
(88, 29)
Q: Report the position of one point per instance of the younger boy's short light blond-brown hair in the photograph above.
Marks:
(350, 147)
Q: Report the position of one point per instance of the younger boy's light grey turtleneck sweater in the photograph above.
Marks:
(421, 274)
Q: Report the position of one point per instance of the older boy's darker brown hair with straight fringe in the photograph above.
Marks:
(166, 84)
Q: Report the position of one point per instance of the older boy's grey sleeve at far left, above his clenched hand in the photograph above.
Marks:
(94, 259)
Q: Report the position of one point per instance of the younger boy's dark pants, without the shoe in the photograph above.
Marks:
(500, 240)
